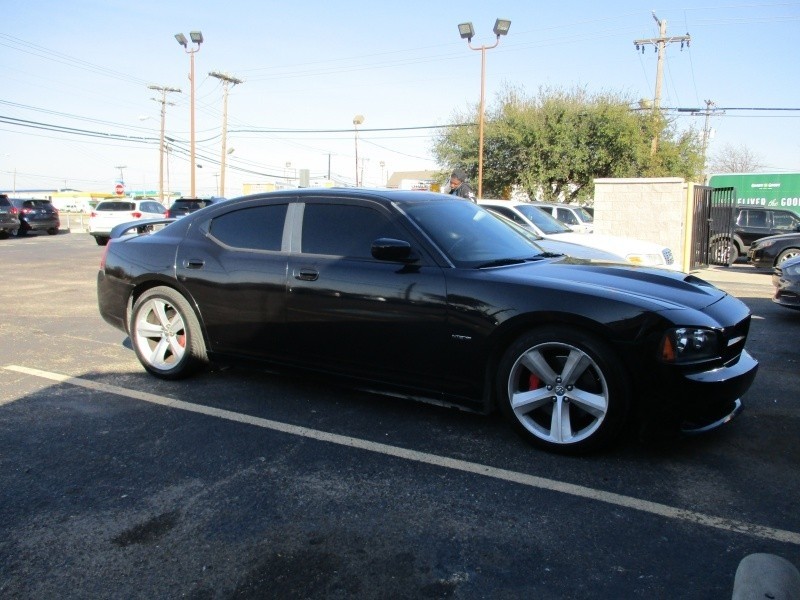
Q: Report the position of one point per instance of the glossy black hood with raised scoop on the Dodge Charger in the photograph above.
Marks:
(657, 289)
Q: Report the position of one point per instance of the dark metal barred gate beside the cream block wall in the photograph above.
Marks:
(712, 233)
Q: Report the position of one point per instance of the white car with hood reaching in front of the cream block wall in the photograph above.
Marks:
(637, 252)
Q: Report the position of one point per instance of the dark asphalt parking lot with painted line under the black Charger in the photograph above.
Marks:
(243, 484)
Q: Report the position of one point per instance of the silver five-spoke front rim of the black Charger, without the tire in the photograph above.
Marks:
(558, 393)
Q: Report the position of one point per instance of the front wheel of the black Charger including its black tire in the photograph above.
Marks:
(563, 390)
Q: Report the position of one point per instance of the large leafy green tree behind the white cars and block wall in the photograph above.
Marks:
(553, 145)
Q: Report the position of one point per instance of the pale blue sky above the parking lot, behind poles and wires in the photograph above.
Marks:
(314, 65)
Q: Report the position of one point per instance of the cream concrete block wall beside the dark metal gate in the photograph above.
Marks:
(651, 209)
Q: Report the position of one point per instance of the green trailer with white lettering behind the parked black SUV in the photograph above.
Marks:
(775, 190)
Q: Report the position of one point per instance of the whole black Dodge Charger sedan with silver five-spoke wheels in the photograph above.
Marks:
(432, 298)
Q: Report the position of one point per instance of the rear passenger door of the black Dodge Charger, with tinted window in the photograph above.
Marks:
(234, 266)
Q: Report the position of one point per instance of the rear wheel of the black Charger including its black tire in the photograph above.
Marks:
(166, 335)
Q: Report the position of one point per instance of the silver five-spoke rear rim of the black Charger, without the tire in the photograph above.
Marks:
(159, 333)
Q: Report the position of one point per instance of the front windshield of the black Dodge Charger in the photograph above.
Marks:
(469, 235)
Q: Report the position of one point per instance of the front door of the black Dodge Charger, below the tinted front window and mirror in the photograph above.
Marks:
(350, 313)
